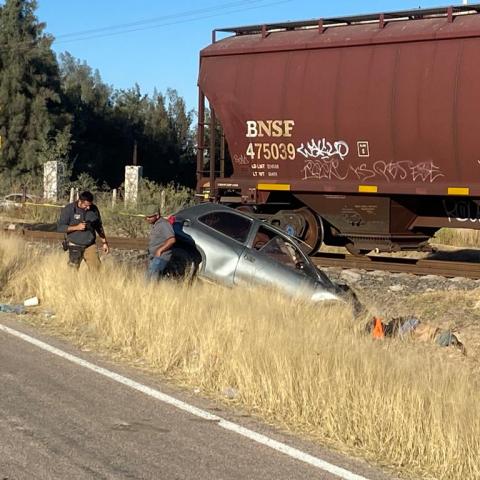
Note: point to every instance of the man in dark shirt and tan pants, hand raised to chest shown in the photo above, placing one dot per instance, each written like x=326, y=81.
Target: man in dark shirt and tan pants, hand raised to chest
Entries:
x=80, y=221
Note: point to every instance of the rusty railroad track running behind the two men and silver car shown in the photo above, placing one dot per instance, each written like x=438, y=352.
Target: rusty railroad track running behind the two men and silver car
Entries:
x=444, y=268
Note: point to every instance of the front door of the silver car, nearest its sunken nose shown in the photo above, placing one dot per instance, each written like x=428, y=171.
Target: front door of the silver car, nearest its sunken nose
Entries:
x=272, y=259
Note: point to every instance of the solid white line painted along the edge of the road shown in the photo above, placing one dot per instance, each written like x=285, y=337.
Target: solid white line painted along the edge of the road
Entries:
x=233, y=427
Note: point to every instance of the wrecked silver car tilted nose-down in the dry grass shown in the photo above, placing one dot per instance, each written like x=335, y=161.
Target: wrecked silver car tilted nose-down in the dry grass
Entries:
x=230, y=247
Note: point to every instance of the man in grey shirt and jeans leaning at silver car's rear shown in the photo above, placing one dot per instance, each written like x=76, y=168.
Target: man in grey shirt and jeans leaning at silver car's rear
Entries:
x=162, y=238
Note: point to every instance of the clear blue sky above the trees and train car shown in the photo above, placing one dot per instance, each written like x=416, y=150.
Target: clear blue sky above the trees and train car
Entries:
x=156, y=43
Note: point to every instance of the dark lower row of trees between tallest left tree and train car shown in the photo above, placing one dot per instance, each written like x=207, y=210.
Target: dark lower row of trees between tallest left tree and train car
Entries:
x=107, y=124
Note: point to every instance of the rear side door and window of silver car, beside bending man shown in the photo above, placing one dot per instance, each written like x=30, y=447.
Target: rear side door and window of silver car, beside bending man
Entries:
x=221, y=236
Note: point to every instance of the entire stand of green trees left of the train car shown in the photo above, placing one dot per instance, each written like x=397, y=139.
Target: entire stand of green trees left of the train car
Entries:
x=61, y=109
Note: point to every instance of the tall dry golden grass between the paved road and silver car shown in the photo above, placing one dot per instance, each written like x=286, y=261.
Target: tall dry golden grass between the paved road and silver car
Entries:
x=307, y=368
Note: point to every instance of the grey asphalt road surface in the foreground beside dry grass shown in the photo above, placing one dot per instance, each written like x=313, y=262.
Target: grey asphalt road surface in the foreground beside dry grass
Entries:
x=59, y=420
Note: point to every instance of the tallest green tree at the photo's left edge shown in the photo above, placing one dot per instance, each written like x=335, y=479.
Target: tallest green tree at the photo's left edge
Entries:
x=31, y=114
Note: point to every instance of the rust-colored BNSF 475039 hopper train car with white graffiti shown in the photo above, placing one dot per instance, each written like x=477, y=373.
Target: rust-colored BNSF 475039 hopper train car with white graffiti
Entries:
x=359, y=131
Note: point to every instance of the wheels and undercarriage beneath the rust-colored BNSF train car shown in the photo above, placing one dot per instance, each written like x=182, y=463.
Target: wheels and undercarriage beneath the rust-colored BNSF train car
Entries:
x=359, y=223
